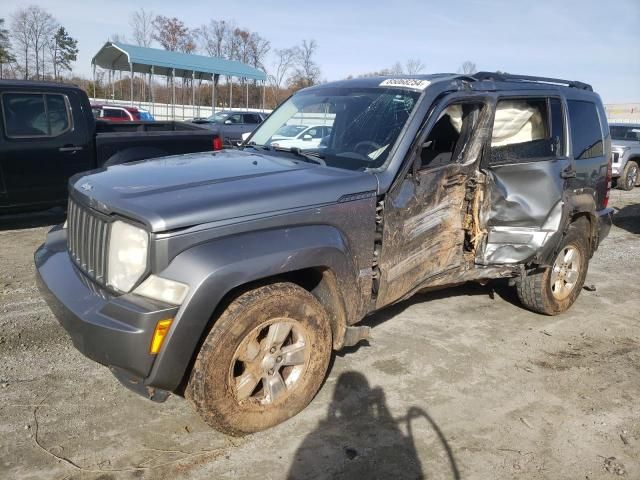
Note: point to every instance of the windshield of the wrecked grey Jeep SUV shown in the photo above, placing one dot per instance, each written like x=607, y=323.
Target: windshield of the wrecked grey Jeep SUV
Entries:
x=353, y=128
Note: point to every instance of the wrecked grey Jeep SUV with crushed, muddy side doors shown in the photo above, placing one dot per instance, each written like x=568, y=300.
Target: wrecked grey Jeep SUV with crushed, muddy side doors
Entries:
x=229, y=277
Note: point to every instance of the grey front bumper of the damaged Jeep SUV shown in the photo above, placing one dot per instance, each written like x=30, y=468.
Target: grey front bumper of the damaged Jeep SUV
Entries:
x=113, y=330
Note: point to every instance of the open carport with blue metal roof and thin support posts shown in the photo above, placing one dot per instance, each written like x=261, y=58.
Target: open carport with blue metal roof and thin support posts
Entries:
x=117, y=56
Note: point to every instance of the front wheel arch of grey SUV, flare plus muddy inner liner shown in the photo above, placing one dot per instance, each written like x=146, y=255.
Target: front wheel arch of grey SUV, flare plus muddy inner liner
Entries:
x=313, y=257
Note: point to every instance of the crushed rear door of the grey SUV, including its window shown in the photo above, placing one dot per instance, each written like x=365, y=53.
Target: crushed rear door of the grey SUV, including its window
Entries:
x=526, y=171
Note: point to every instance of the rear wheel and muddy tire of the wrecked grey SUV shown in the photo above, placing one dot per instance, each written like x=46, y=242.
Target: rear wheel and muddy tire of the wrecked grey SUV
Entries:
x=553, y=290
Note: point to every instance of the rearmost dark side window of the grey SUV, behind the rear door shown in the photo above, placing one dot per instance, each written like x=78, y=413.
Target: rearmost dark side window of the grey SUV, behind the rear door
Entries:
x=586, y=136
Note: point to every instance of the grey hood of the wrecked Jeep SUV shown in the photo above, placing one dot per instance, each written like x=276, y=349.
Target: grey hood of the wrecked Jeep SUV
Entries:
x=181, y=191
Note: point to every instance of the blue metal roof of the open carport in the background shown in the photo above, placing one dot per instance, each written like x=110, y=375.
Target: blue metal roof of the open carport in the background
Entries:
x=119, y=56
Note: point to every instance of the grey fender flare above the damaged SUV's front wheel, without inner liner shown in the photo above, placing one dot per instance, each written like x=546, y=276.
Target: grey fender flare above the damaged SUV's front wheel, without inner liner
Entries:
x=214, y=269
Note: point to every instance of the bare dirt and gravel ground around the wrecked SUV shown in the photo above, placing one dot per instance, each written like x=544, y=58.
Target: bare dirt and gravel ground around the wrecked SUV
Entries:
x=456, y=384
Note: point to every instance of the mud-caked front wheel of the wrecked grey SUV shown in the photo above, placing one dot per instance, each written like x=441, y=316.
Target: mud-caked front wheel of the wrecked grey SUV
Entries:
x=263, y=361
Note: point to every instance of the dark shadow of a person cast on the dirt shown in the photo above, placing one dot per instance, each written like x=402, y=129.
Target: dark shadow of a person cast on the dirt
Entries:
x=360, y=438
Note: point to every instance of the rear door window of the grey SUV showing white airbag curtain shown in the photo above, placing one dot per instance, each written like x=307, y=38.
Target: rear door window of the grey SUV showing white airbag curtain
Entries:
x=526, y=130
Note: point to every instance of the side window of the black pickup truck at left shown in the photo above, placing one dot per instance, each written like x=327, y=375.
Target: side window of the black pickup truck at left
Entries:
x=33, y=115
